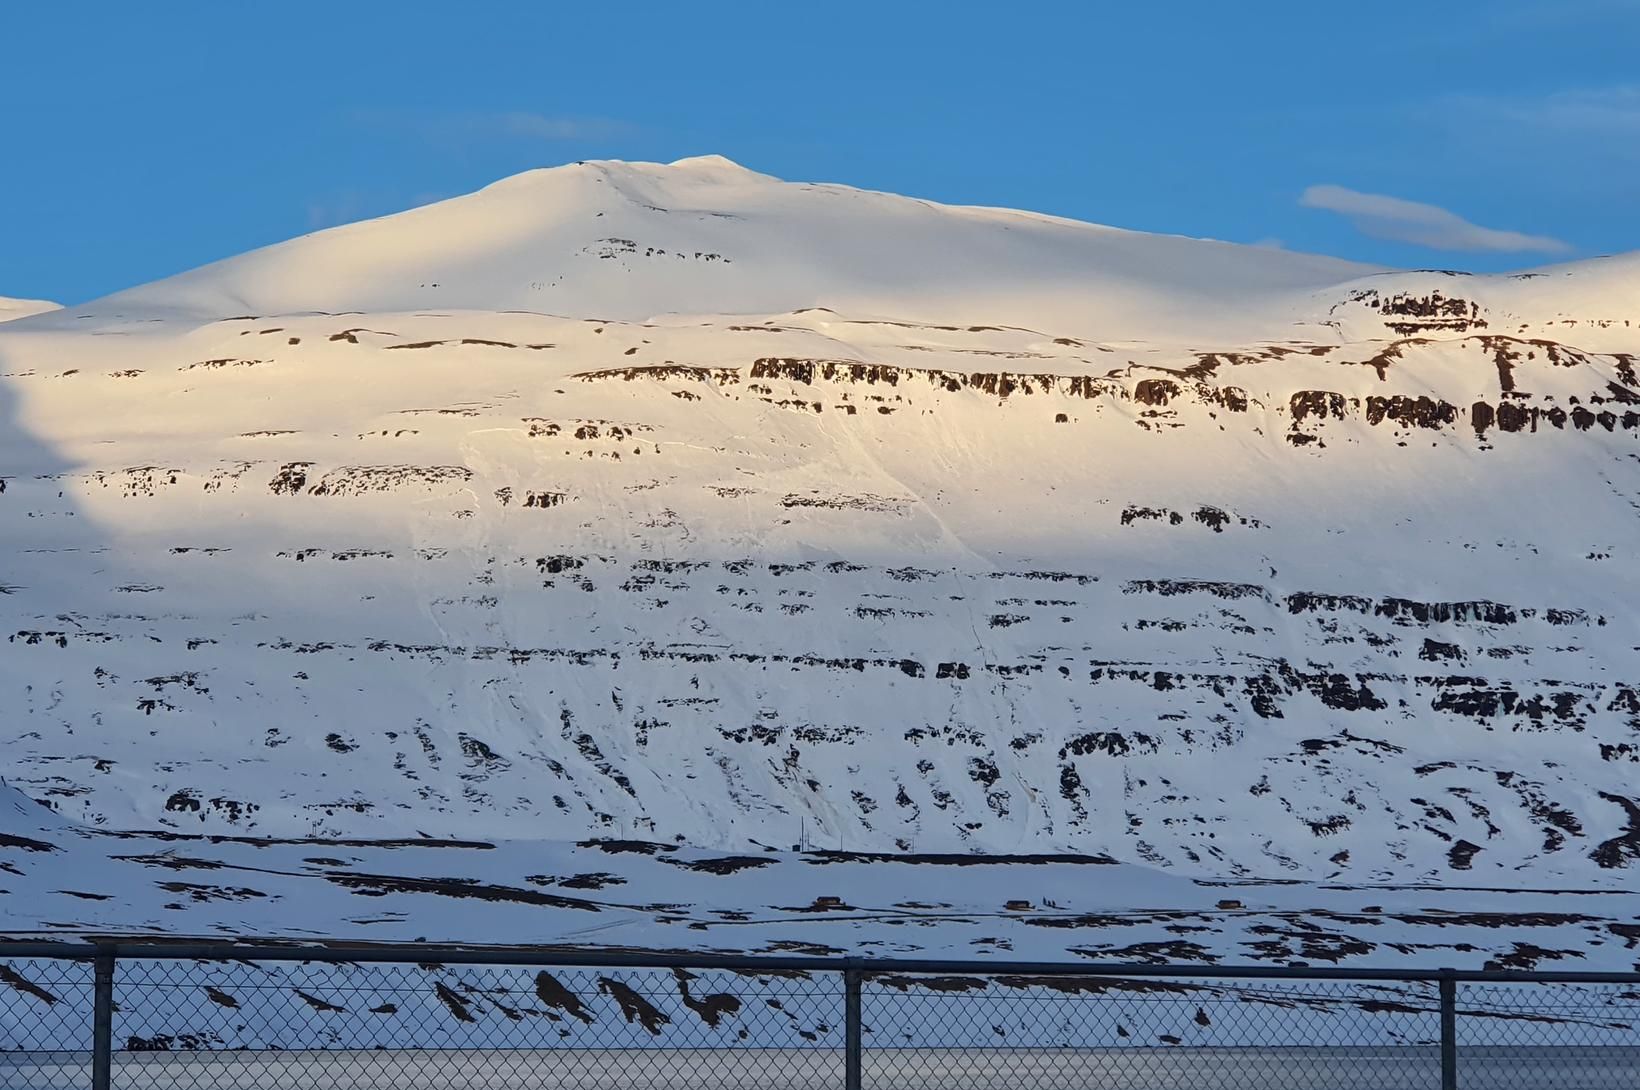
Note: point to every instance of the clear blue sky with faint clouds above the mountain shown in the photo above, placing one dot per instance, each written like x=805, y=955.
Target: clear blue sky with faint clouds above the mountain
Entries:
x=143, y=140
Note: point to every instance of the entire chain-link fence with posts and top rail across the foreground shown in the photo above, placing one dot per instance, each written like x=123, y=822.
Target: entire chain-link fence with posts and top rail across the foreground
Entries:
x=242, y=1019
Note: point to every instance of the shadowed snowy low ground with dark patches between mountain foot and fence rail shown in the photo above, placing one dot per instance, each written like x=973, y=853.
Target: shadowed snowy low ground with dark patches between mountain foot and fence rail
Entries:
x=645, y=896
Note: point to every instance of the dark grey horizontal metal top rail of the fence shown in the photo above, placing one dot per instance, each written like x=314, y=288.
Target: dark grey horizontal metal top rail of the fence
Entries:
x=578, y=958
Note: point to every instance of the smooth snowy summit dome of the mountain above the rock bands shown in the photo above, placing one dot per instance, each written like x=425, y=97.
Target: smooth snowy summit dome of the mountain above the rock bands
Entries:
x=532, y=242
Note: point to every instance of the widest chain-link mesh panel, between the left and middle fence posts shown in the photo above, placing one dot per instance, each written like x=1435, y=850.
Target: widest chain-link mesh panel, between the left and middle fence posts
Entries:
x=409, y=1027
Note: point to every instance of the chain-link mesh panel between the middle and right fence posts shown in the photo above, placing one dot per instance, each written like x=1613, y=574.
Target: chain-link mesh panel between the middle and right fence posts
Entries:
x=1067, y=1033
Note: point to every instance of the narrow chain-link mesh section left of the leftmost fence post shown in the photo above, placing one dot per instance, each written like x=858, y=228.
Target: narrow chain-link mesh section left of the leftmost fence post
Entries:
x=45, y=1024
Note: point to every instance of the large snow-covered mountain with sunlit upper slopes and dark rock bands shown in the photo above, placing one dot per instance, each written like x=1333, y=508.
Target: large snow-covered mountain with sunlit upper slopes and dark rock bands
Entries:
x=686, y=506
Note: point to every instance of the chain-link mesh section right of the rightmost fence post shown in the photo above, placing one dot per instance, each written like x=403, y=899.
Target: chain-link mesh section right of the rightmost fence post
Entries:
x=1590, y=1032
